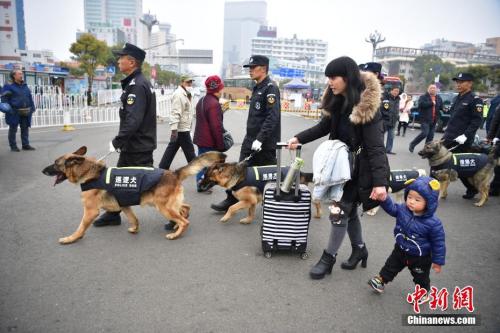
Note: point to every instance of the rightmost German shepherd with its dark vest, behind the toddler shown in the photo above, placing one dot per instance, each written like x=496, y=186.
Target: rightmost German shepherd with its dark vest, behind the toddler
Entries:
x=447, y=167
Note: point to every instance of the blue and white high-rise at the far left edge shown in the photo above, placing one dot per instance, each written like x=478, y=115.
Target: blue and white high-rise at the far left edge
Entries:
x=12, y=31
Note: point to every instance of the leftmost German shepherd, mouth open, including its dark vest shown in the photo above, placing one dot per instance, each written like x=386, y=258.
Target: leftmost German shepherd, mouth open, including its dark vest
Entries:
x=115, y=189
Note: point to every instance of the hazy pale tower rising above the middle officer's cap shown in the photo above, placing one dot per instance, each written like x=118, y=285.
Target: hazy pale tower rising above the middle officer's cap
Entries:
x=242, y=21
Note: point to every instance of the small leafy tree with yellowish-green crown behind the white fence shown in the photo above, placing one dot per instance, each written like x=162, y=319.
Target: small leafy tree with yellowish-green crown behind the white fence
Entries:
x=90, y=53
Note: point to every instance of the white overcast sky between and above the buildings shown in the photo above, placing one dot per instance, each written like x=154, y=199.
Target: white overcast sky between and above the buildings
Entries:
x=52, y=24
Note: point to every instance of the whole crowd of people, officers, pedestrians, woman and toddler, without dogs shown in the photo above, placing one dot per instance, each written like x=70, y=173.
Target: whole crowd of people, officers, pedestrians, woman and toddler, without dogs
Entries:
x=356, y=112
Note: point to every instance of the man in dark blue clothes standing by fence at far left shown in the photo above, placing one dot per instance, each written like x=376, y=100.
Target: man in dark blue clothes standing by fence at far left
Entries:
x=18, y=96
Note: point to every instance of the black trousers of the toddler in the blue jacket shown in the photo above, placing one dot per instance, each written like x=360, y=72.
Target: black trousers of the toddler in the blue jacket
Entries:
x=419, y=267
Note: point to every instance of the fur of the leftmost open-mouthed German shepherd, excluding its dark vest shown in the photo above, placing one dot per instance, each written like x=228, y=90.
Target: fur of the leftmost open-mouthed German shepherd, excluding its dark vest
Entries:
x=166, y=196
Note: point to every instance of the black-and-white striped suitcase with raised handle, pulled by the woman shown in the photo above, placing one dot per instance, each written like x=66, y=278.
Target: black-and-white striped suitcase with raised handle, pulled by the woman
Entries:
x=286, y=216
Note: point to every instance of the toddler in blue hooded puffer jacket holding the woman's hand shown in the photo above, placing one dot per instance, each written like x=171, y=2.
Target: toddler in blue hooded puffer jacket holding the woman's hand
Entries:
x=419, y=235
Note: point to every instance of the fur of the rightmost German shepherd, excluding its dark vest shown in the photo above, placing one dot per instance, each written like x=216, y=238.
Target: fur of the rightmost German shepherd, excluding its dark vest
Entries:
x=438, y=154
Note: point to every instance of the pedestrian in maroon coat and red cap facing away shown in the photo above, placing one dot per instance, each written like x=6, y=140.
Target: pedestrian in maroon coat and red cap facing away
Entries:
x=209, y=130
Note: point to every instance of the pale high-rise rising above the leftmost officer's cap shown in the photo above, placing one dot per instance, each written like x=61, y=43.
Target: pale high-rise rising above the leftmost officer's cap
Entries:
x=123, y=14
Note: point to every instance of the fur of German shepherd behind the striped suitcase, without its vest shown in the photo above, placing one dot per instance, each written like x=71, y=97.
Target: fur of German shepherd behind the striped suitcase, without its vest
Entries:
x=229, y=175
